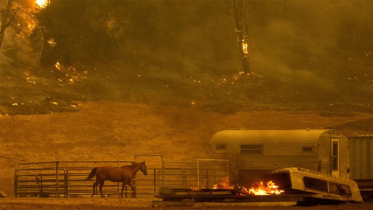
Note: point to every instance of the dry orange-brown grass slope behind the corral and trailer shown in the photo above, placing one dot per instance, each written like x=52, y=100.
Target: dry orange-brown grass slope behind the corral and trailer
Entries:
x=117, y=131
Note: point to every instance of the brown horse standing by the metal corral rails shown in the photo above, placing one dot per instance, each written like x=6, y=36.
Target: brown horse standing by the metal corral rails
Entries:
x=122, y=174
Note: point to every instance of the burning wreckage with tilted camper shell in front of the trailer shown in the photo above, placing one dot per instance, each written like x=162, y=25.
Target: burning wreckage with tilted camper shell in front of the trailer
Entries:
x=292, y=185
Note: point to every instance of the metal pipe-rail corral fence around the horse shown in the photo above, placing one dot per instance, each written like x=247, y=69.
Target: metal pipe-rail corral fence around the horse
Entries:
x=68, y=178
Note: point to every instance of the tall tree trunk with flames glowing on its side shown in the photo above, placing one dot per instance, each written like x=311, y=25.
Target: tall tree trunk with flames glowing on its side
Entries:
x=240, y=8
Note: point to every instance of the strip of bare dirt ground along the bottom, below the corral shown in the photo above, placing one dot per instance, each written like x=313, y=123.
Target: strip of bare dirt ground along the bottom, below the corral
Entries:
x=148, y=203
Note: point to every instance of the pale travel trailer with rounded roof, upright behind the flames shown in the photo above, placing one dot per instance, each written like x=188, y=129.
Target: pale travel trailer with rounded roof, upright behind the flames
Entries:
x=254, y=153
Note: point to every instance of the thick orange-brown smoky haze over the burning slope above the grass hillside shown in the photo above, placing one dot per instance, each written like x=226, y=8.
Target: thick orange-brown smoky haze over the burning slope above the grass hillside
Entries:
x=183, y=52
